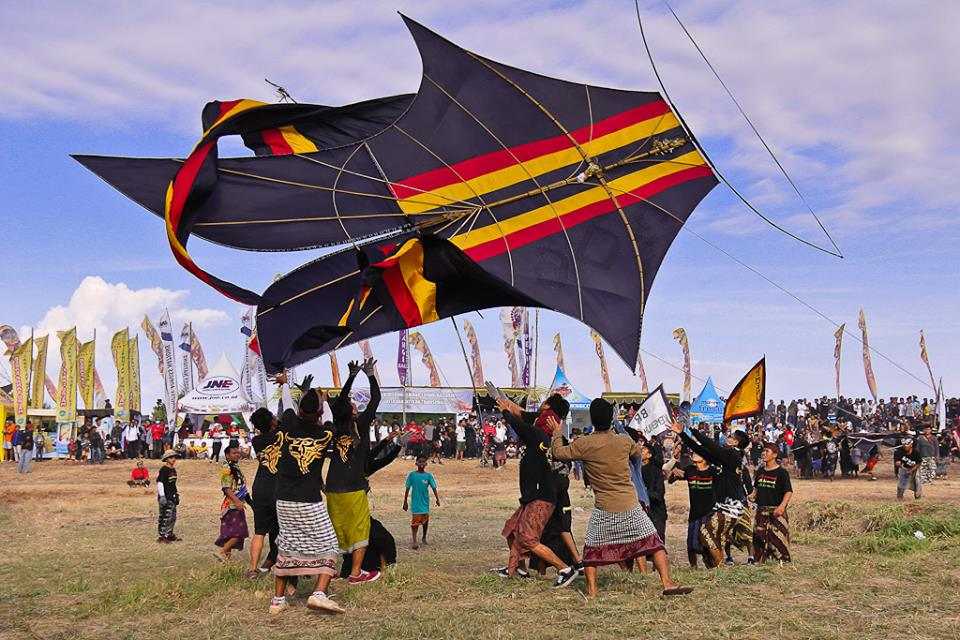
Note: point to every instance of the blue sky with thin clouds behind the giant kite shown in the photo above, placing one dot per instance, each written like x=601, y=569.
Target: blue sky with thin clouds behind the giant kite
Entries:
x=853, y=97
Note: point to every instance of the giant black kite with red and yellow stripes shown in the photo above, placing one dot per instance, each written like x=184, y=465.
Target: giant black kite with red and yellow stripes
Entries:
x=491, y=186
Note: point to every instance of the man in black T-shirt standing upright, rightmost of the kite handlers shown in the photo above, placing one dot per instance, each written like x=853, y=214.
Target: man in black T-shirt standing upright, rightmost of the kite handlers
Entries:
x=772, y=493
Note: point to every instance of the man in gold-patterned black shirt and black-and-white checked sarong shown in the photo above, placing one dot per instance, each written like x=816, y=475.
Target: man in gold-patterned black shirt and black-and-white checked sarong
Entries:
x=307, y=544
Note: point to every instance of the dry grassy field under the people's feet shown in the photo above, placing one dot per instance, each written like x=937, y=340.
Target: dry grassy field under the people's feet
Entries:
x=78, y=560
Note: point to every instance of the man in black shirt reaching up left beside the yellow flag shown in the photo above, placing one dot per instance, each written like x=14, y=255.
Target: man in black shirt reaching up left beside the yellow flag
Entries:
x=722, y=529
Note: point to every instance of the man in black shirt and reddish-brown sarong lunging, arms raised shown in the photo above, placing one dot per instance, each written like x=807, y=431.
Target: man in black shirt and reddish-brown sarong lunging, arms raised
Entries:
x=538, y=489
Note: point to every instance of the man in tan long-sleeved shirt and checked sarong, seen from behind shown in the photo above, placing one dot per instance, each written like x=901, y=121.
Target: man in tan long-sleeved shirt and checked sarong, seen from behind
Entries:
x=619, y=530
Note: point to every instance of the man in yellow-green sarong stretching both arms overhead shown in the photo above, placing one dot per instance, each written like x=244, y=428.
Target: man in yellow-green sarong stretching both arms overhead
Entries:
x=347, y=485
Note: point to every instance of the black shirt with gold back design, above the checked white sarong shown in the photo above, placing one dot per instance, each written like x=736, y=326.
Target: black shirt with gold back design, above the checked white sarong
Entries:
x=302, y=447
